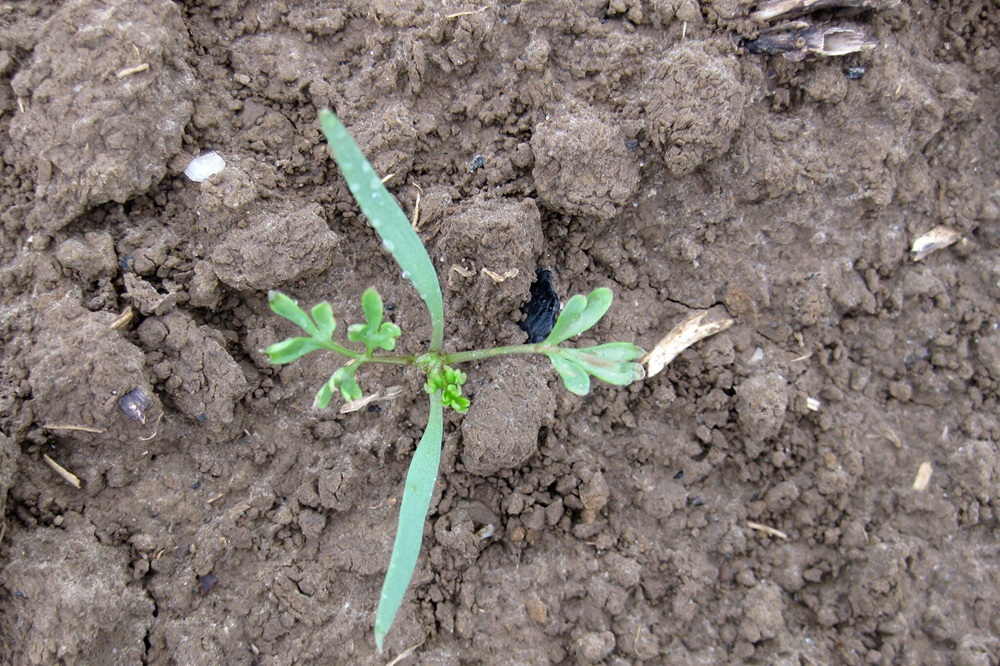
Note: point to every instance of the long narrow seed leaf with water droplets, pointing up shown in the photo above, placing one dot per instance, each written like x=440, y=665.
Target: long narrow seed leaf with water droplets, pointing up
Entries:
x=388, y=220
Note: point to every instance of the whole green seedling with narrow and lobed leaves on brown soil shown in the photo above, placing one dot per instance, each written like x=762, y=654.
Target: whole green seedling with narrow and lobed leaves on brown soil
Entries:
x=614, y=362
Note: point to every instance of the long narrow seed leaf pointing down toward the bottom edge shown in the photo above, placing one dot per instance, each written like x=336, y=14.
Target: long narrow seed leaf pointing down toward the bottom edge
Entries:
x=417, y=495
